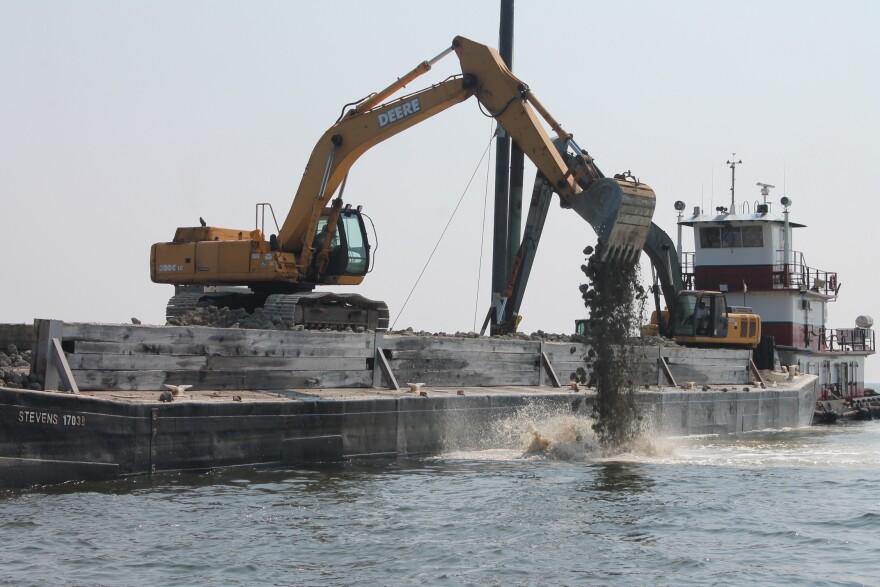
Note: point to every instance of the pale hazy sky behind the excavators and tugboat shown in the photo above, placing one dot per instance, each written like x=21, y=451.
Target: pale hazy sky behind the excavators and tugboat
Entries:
x=120, y=121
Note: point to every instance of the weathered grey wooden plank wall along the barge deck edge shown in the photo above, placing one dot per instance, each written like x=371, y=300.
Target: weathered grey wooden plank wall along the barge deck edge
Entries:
x=114, y=357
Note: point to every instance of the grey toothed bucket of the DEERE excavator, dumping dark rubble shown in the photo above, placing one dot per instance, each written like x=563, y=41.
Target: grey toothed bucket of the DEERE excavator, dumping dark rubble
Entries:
x=620, y=212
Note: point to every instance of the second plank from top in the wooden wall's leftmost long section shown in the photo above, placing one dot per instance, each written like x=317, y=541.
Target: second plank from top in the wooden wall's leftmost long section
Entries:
x=229, y=349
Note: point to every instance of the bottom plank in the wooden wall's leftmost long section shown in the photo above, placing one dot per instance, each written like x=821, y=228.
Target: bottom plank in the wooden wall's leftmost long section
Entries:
x=220, y=380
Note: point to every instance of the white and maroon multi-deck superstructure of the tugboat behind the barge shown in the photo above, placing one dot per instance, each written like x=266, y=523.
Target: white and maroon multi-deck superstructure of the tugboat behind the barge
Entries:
x=749, y=255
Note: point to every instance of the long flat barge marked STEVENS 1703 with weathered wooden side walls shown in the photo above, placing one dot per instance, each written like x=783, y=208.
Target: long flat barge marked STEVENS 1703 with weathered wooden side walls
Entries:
x=277, y=398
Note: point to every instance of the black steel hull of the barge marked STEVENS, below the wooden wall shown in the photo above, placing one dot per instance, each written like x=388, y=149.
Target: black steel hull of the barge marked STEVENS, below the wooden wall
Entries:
x=50, y=437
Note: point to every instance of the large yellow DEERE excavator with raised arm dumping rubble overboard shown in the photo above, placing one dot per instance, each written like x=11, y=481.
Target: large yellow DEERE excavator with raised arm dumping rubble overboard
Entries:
x=324, y=243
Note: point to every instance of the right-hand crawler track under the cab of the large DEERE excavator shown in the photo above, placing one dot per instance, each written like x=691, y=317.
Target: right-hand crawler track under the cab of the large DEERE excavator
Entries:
x=328, y=310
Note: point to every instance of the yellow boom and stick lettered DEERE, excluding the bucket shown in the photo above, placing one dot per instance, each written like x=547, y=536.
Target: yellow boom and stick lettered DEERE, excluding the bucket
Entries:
x=485, y=76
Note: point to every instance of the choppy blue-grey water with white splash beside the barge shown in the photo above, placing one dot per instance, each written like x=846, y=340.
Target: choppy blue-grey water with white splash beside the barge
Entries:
x=798, y=507
